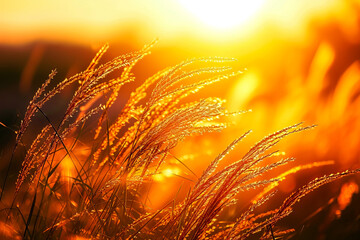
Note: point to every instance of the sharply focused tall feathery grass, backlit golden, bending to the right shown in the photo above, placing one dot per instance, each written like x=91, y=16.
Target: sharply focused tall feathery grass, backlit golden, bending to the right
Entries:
x=90, y=185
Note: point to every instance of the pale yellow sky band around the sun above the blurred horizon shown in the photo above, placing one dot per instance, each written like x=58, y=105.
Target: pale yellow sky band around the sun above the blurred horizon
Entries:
x=89, y=21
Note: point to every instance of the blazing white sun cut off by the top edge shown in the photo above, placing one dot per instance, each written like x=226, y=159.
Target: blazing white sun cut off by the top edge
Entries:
x=223, y=14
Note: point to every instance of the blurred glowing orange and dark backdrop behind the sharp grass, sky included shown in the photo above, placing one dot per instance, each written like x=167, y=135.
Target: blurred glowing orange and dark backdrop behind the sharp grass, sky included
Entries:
x=300, y=62
